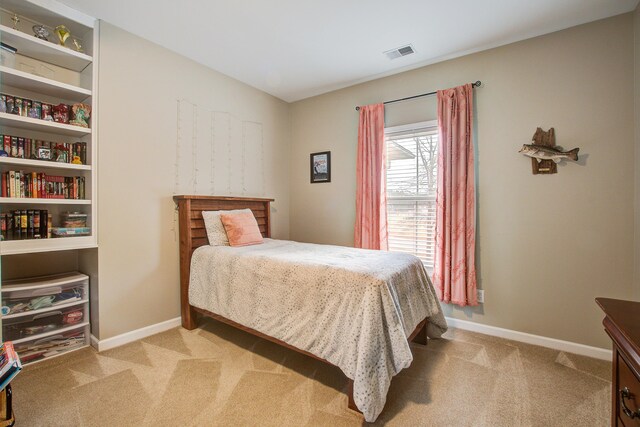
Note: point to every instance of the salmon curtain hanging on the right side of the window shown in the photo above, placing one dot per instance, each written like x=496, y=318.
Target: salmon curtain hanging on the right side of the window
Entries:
x=454, y=275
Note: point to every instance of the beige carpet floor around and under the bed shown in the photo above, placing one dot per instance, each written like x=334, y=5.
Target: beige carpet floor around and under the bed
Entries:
x=219, y=376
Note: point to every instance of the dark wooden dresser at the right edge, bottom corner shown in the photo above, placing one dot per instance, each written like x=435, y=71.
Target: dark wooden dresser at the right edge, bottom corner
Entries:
x=622, y=323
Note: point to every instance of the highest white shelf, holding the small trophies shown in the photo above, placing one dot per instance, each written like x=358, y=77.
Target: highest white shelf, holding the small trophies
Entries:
x=42, y=50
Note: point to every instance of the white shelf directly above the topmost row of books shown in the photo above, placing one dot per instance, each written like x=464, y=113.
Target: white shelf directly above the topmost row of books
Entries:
x=31, y=82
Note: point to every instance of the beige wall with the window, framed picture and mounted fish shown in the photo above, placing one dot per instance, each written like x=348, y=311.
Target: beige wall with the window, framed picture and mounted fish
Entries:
x=547, y=245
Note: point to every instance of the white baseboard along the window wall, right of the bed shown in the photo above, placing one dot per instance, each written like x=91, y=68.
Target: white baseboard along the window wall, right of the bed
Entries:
x=569, y=347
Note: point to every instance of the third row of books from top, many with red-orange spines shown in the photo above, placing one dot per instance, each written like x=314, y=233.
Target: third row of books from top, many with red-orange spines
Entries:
x=40, y=185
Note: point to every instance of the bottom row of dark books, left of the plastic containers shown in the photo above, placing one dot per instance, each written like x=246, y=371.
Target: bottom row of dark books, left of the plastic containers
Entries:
x=26, y=224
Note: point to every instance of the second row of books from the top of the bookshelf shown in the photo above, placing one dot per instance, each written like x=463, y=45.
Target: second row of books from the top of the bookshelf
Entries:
x=29, y=148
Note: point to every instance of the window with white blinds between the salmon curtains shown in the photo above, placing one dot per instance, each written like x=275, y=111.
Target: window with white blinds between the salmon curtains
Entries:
x=412, y=173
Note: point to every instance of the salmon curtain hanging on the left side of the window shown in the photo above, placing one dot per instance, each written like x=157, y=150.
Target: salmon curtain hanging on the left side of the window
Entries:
x=371, y=188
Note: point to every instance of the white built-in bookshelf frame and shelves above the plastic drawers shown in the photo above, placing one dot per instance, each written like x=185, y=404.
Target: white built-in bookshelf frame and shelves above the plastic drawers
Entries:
x=47, y=73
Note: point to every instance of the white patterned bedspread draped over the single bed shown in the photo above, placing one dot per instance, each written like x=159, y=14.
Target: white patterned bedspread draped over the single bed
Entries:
x=352, y=307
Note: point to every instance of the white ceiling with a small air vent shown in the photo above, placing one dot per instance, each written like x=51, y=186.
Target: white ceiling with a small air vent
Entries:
x=294, y=49
